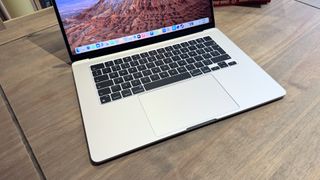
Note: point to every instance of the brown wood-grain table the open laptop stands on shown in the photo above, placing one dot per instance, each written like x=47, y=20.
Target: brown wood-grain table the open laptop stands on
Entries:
x=278, y=141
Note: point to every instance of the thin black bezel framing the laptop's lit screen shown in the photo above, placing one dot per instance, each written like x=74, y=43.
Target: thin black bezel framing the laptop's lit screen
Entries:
x=130, y=45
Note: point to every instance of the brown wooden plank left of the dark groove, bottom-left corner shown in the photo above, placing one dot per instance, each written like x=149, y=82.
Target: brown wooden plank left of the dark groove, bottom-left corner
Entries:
x=15, y=162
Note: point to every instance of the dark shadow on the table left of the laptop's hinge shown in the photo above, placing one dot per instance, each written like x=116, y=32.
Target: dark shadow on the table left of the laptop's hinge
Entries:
x=51, y=40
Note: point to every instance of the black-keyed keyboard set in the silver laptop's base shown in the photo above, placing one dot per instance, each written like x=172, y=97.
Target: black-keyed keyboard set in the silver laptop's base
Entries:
x=127, y=76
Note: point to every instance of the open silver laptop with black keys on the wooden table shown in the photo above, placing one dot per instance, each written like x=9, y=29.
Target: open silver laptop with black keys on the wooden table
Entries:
x=146, y=71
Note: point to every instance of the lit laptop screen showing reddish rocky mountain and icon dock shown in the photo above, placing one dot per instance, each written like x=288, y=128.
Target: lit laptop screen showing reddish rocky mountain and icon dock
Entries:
x=95, y=24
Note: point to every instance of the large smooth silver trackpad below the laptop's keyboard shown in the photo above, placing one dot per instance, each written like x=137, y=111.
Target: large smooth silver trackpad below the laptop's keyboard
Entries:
x=177, y=107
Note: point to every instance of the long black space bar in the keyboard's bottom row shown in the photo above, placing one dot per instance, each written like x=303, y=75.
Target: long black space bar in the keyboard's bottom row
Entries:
x=166, y=81
